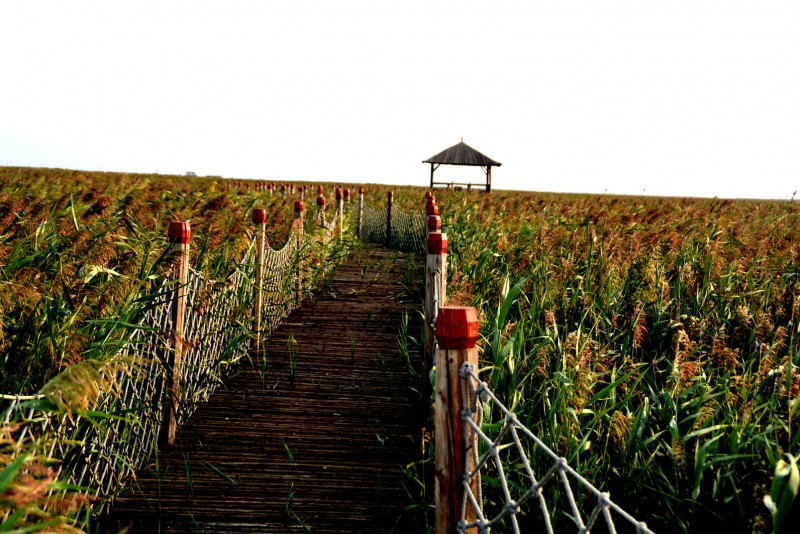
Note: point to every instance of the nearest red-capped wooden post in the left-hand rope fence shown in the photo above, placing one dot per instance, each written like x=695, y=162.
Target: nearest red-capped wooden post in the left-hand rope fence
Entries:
x=179, y=234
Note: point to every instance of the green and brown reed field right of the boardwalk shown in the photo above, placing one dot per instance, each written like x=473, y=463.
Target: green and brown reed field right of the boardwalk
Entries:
x=653, y=342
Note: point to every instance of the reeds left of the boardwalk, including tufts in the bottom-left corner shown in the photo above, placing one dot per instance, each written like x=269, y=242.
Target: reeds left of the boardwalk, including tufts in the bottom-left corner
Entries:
x=81, y=255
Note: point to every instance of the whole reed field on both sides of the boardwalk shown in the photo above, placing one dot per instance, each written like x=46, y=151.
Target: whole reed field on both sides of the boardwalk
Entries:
x=653, y=342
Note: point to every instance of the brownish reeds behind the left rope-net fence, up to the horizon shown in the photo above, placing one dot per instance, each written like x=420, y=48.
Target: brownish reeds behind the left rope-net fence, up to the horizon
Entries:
x=79, y=249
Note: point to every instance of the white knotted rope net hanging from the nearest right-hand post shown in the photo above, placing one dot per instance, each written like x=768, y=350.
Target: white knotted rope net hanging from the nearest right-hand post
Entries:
x=511, y=449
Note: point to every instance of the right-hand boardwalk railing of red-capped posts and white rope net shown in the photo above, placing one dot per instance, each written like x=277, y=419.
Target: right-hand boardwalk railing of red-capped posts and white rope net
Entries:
x=472, y=450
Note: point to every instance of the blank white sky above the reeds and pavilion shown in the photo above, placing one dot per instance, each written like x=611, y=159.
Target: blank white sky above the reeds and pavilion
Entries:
x=678, y=97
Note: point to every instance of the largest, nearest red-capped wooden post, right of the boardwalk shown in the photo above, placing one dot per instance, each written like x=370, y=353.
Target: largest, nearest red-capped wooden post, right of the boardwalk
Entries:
x=456, y=333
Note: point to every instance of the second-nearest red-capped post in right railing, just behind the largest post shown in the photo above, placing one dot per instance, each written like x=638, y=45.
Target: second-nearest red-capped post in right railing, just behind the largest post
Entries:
x=435, y=297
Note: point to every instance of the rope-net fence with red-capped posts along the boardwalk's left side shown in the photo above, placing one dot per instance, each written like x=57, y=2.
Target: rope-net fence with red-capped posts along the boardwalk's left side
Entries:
x=101, y=421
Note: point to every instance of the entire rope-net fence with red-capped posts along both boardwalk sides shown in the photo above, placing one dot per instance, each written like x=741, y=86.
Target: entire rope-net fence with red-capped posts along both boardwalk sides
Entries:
x=489, y=465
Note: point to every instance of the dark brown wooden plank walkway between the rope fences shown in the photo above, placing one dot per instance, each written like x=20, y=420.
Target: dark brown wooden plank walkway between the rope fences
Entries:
x=319, y=449
